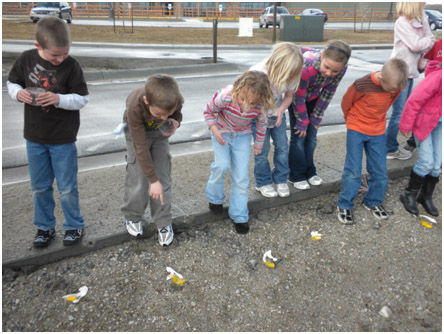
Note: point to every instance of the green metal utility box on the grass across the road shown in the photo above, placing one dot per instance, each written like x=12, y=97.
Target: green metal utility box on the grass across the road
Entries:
x=301, y=28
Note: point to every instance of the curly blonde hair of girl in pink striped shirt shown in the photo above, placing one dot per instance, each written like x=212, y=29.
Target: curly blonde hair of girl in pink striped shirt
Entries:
x=257, y=83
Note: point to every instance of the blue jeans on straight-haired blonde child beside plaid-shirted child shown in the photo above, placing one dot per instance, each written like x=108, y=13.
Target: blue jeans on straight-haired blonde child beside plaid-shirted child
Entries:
x=262, y=172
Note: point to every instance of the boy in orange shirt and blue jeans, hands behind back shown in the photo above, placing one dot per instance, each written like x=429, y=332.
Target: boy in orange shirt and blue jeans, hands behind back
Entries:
x=365, y=105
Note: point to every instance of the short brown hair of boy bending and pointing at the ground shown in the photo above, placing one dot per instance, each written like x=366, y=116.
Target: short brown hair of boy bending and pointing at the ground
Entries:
x=161, y=90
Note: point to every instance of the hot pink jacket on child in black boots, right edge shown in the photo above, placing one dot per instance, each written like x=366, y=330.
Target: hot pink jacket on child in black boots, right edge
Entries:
x=423, y=109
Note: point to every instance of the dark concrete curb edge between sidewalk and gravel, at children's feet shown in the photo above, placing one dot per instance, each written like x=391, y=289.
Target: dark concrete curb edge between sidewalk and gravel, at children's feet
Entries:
x=181, y=224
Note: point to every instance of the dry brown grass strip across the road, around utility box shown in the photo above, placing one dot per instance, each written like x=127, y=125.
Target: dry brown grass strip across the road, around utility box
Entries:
x=168, y=35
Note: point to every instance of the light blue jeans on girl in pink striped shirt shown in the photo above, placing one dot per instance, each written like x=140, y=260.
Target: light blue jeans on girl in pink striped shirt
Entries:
x=235, y=154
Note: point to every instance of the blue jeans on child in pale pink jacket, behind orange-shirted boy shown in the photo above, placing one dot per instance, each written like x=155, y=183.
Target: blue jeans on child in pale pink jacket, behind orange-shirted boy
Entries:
x=393, y=127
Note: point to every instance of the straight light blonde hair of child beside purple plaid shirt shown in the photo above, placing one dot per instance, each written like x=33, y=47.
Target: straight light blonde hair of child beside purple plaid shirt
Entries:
x=284, y=66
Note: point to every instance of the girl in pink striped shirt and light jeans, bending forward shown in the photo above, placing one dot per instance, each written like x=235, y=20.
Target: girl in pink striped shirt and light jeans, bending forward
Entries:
x=229, y=116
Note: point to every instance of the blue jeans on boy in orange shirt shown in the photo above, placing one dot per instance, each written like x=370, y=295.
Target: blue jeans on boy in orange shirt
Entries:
x=375, y=152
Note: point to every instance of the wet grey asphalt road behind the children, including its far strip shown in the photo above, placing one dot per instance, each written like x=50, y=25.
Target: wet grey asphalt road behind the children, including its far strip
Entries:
x=107, y=99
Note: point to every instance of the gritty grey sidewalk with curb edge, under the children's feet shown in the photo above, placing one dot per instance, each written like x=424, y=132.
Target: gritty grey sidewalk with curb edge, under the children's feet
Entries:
x=101, y=193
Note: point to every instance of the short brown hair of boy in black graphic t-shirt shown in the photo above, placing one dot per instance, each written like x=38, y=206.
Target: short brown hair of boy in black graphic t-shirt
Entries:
x=52, y=32
